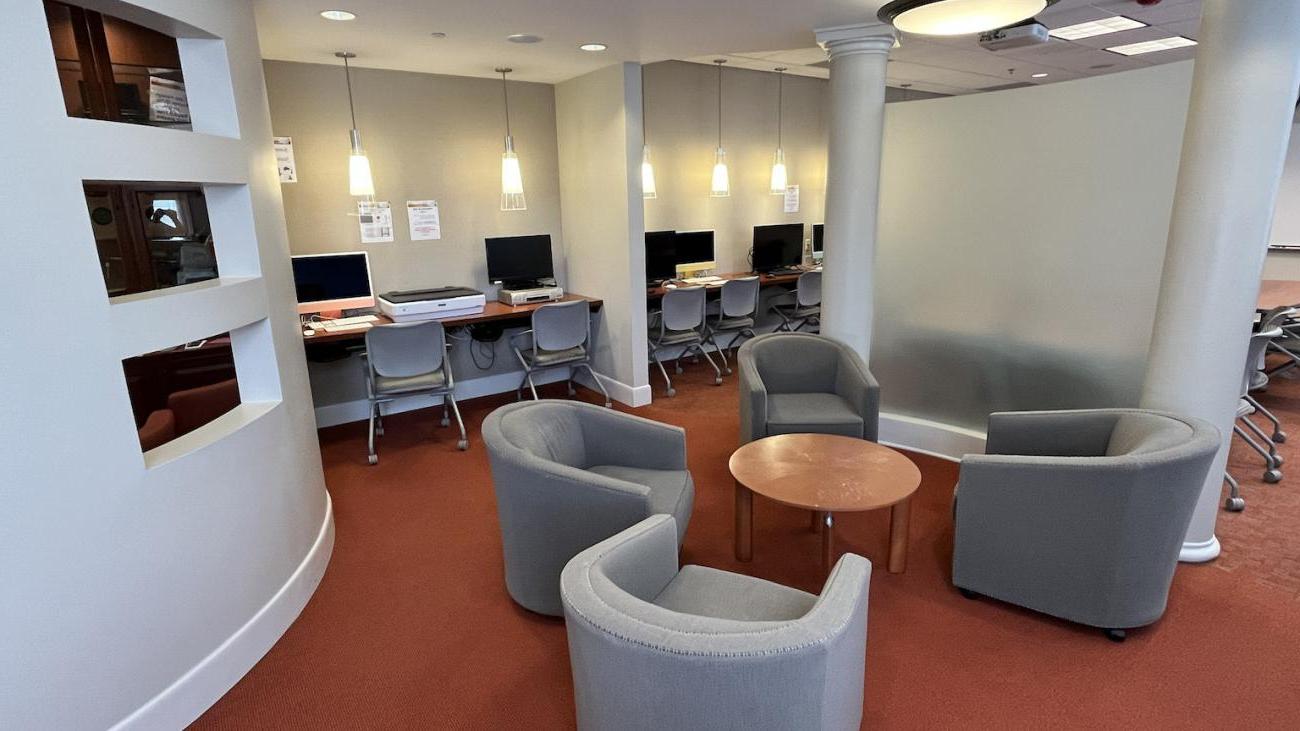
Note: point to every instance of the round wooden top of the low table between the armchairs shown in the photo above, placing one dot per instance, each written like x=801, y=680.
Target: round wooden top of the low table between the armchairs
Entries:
x=826, y=473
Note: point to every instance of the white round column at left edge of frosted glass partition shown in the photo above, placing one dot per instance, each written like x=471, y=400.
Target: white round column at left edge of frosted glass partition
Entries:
x=859, y=58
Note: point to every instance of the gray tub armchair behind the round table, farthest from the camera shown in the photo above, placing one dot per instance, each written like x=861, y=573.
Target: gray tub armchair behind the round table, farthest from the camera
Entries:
x=800, y=383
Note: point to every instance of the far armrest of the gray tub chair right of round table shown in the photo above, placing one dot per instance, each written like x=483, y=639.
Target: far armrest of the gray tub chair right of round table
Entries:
x=1051, y=434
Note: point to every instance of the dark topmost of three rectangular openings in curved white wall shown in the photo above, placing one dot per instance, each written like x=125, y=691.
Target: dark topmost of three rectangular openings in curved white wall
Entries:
x=116, y=71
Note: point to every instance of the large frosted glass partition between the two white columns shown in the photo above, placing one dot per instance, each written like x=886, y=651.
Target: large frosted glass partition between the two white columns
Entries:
x=1022, y=237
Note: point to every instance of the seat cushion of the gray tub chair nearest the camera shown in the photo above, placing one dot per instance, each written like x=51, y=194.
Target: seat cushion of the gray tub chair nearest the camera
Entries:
x=722, y=595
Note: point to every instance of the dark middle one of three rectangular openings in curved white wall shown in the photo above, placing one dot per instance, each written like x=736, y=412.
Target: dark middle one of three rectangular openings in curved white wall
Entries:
x=150, y=236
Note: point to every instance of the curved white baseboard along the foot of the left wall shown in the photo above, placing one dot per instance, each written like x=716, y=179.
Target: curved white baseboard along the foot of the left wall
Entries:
x=203, y=685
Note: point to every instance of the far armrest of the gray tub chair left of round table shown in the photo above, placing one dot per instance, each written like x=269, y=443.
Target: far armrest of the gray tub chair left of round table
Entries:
x=614, y=438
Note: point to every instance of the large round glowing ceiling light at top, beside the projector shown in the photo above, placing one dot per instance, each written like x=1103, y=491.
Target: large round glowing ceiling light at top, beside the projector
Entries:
x=957, y=18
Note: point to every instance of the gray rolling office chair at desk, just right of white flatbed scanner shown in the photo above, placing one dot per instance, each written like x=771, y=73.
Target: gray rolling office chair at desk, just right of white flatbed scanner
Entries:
x=561, y=339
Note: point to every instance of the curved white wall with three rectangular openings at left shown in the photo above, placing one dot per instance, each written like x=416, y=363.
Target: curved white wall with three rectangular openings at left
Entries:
x=137, y=590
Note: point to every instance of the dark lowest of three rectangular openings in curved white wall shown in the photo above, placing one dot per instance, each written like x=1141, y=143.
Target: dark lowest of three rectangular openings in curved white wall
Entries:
x=179, y=390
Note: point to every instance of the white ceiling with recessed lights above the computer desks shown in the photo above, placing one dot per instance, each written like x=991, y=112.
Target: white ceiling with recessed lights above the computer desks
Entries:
x=756, y=34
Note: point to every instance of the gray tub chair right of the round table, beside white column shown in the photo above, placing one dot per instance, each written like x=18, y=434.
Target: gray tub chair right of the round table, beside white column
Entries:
x=1081, y=514
